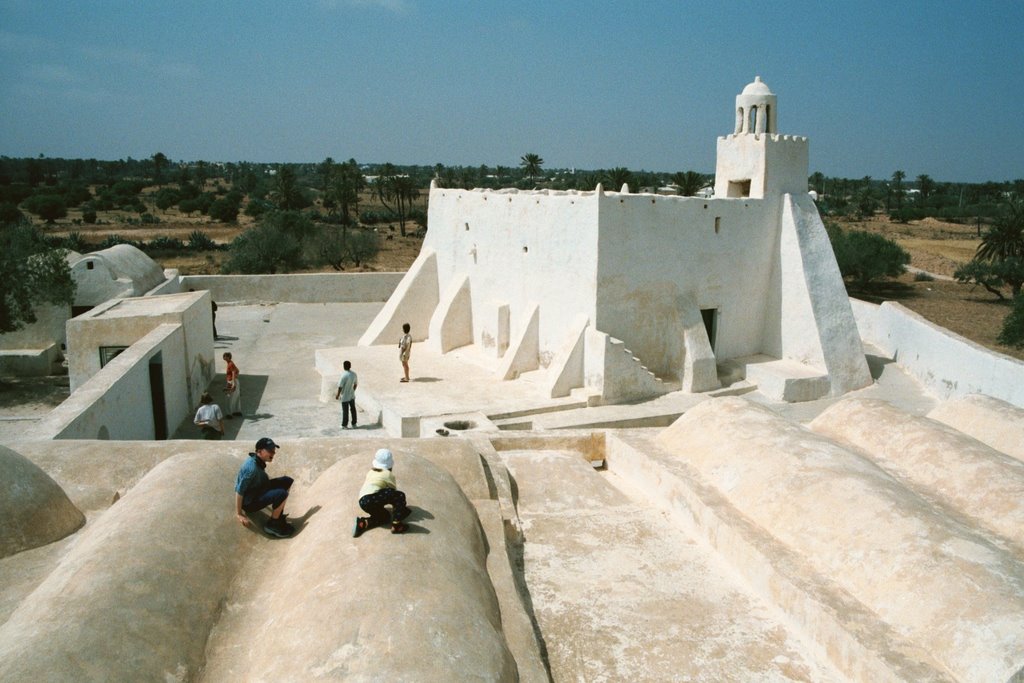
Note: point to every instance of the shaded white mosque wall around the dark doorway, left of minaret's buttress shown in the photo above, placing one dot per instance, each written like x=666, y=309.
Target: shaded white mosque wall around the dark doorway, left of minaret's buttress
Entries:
x=657, y=250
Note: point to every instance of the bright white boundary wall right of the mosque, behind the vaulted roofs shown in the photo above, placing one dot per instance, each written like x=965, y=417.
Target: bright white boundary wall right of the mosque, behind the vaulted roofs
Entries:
x=946, y=363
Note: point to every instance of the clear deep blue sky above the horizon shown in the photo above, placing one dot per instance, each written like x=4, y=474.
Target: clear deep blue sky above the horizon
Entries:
x=925, y=88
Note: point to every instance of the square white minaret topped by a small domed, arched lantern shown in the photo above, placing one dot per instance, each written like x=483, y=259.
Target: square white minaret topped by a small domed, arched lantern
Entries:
x=756, y=161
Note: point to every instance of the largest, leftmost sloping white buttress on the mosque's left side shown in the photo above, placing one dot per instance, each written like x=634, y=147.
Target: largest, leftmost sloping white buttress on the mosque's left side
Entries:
x=414, y=302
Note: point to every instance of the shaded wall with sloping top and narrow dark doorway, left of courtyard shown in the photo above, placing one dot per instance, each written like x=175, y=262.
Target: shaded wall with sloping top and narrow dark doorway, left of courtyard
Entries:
x=116, y=403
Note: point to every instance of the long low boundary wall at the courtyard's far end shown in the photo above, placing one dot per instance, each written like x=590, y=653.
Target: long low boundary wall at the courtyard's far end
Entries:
x=313, y=288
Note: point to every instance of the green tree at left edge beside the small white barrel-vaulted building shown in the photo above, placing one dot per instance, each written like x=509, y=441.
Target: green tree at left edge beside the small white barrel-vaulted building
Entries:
x=33, y=274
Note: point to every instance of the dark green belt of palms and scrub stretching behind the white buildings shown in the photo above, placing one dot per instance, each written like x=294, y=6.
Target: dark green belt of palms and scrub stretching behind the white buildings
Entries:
x=335, y=214
